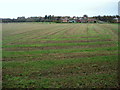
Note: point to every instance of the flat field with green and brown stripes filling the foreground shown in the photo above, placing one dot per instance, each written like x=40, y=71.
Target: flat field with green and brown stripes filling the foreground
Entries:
x=44, y=55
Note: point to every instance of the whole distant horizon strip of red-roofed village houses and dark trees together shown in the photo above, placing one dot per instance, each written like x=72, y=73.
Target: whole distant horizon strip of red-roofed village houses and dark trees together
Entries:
x=66, y=19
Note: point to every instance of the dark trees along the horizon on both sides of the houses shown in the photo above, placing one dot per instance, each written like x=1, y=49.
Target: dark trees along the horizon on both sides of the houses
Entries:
x=52, y=18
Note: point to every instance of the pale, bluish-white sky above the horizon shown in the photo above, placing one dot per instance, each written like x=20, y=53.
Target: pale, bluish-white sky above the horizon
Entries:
x=28, y=8
